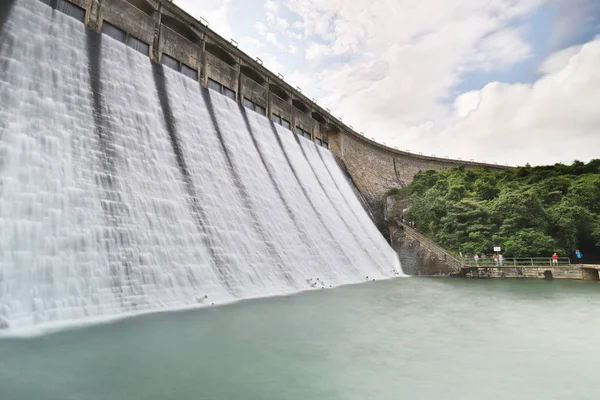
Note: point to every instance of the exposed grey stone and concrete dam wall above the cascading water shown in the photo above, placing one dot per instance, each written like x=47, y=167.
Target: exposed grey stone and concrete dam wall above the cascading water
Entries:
x=170, y=36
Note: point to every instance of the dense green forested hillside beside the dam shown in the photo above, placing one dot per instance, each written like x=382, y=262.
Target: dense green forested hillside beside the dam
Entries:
x=528, y=211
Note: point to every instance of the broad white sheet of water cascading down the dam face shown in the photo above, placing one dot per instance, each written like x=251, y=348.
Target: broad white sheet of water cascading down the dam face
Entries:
x=127, y=188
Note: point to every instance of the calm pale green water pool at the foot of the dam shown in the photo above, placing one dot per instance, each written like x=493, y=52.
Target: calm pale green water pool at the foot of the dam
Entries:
x=400, y=339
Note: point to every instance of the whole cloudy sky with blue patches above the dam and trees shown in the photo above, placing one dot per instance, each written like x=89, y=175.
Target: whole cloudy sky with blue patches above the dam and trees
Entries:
x=501, y=81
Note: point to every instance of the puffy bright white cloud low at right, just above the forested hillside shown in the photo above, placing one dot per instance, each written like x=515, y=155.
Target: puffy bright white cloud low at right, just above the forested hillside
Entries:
x=553, y=119
